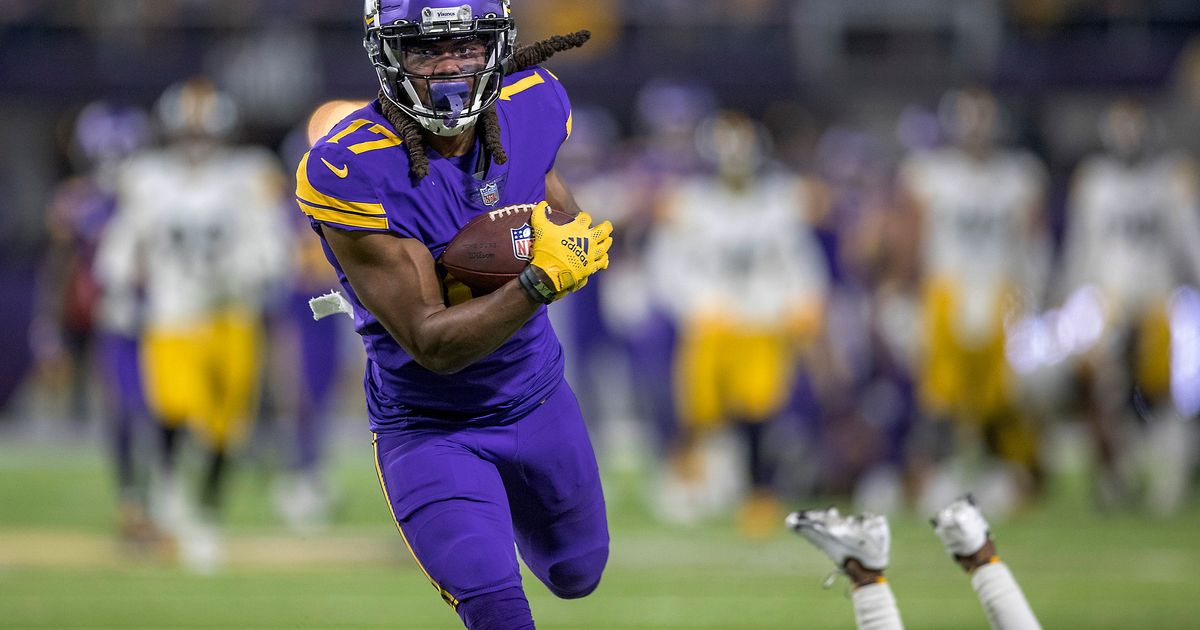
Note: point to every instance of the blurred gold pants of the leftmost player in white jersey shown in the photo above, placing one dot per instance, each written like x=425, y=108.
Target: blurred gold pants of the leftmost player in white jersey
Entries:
x=206, y=376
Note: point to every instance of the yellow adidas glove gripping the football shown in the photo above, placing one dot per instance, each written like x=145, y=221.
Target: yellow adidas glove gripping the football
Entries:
x=568, y=255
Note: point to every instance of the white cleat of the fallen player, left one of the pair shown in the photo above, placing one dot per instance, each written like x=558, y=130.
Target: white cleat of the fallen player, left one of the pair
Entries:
x=865, y=538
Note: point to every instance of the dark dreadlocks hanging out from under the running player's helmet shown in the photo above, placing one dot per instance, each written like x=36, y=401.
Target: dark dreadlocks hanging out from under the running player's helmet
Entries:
x=410, y=131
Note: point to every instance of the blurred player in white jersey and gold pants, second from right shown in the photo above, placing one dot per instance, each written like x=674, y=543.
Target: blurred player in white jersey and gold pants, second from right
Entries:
x=982, y=233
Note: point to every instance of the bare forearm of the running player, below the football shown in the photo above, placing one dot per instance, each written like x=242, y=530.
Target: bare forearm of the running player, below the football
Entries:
x=449, y=340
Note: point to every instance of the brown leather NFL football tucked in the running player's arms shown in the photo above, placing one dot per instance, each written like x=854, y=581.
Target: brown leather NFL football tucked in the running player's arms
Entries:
x=494, y=248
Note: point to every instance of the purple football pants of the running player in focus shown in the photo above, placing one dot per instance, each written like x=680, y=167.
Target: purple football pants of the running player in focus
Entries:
x=463, y=496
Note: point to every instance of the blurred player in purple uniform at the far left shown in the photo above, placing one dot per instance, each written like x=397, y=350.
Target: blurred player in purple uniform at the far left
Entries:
x=76, y=316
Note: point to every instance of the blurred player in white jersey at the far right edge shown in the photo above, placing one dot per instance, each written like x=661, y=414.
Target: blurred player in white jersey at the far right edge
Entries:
x=1132, y=241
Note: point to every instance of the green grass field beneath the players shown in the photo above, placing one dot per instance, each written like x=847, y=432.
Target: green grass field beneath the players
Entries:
x=61, y=566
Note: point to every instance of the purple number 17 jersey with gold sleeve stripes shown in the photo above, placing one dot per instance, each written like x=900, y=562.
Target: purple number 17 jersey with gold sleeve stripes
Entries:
x=358, y=178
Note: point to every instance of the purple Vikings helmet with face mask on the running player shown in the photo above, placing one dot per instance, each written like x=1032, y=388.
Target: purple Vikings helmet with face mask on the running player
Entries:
x=441, y=62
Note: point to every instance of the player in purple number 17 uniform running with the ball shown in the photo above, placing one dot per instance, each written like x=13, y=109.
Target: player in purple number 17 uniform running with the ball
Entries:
x=479, y=442
